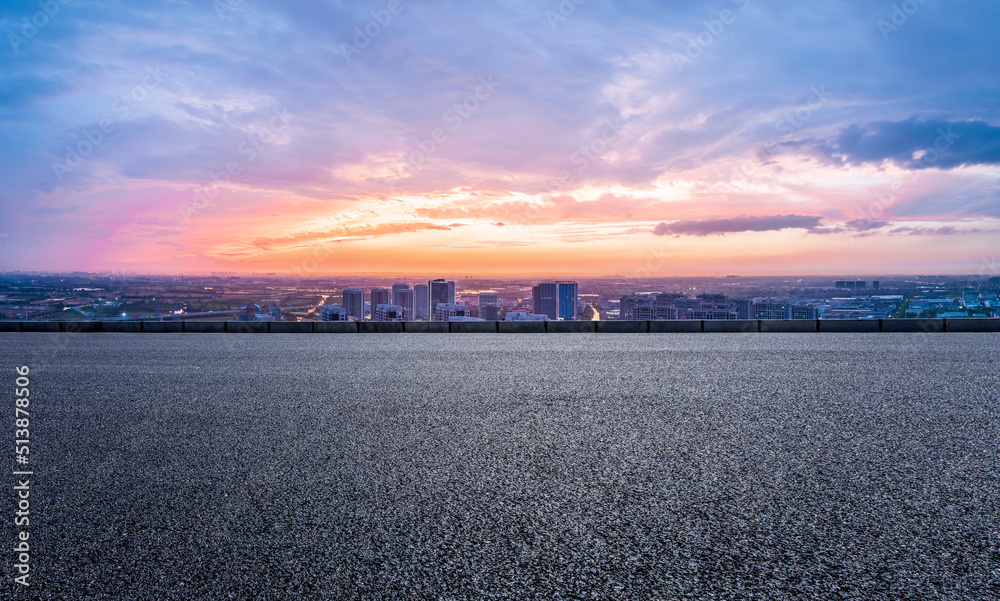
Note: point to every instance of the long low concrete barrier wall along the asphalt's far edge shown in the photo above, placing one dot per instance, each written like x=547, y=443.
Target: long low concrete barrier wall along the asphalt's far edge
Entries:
x=513, y=327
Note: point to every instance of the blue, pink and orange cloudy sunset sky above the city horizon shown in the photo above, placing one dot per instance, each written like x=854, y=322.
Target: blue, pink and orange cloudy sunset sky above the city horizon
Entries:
x=572, y=138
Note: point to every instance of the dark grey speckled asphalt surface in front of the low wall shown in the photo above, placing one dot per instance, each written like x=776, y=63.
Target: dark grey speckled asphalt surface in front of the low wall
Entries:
x=734, y=466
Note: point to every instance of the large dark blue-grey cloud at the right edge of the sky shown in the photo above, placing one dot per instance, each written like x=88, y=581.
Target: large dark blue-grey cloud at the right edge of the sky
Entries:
x=915, y=144
